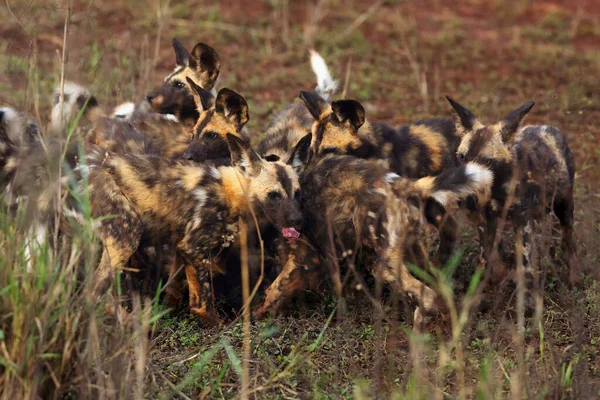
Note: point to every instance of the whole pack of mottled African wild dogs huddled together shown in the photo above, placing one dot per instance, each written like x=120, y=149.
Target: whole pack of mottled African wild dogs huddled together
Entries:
x=176, y=176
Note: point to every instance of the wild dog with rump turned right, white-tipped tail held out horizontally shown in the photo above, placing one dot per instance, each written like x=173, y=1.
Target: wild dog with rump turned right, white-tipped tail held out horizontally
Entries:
x=365, y=205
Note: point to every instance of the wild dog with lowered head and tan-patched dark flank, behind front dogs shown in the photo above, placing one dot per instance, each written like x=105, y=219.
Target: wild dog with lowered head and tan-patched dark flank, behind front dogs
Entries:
x=425, y=148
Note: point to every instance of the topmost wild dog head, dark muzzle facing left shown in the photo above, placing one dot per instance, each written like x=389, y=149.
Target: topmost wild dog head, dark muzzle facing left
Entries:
x=175, y=96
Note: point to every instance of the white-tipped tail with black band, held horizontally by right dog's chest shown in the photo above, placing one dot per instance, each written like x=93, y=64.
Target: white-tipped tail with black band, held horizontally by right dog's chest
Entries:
x=456, y=184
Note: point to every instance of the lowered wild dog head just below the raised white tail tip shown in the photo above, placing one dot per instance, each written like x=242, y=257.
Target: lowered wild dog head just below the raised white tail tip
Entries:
x=336, y=126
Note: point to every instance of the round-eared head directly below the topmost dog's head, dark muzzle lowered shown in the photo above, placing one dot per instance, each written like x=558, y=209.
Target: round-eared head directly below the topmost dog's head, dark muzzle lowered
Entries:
x=228, y=116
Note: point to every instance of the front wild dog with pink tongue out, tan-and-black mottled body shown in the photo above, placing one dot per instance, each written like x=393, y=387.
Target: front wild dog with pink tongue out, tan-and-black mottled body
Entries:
x=194, y=207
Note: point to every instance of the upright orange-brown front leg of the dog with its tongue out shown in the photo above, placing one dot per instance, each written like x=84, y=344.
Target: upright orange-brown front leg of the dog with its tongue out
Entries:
x=201, y=294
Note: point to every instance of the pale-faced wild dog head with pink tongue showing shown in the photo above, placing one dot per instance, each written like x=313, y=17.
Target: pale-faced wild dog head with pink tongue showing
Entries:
x=271, y=187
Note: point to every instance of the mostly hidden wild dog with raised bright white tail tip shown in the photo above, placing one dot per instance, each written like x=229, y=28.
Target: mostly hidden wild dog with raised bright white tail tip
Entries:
x=295, y=121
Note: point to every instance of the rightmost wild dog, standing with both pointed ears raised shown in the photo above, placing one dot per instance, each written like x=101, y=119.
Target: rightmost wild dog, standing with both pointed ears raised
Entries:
x=538, y=160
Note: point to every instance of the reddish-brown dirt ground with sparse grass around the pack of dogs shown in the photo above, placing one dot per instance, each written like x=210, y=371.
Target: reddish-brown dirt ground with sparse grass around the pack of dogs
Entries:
x=398, y=58
